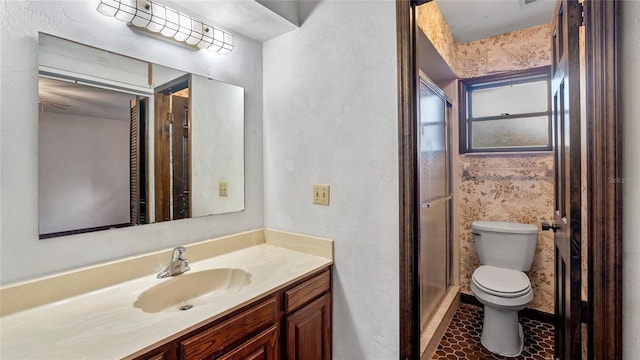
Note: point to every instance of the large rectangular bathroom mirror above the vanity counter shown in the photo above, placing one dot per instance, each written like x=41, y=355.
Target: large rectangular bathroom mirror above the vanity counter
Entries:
x=124, y=142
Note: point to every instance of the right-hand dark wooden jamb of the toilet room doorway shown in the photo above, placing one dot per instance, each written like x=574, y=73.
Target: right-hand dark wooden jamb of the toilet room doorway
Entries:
x=604, y=193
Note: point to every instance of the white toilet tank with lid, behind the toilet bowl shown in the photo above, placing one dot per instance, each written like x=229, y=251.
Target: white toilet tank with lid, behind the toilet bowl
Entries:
x=505, y=244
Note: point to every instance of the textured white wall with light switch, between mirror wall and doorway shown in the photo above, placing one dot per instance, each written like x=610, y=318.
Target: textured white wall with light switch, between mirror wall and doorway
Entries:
x=330, y=117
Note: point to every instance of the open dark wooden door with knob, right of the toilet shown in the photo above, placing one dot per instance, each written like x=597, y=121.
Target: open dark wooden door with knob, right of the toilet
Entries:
x=565, y=94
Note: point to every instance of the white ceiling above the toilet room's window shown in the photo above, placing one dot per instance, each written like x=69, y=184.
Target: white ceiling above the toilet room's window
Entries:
x=471, y=20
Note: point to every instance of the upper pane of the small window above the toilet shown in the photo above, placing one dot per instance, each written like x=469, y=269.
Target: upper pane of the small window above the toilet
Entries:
x=510, y=99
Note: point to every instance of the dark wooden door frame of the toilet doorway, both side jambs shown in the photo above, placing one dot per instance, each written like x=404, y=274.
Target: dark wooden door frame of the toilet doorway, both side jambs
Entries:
x=603, y=312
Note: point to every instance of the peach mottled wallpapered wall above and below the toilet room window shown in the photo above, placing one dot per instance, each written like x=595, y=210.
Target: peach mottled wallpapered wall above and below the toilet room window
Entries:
x=514, y=187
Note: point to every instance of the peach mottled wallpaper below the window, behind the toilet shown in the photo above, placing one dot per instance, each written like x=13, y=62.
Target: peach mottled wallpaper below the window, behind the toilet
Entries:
x=516, y=188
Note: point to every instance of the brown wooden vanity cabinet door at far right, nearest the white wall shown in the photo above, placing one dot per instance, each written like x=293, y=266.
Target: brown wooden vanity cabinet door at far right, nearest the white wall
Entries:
x=309, y=331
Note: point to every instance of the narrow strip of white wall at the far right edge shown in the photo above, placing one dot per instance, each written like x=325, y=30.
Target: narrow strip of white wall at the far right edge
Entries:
x=630, y=78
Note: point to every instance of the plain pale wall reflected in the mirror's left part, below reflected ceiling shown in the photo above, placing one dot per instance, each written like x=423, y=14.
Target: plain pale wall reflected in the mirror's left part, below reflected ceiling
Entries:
x=83, y=172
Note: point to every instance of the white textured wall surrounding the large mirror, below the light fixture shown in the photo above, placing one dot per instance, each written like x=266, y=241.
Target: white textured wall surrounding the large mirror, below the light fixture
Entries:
x=23, y=256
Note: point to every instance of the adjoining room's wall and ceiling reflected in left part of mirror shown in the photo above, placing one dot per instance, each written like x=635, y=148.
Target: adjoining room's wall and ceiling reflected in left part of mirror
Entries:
x=84, y=155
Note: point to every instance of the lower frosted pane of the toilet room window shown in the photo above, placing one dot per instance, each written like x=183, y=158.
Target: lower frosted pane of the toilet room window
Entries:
x=522, y=132
